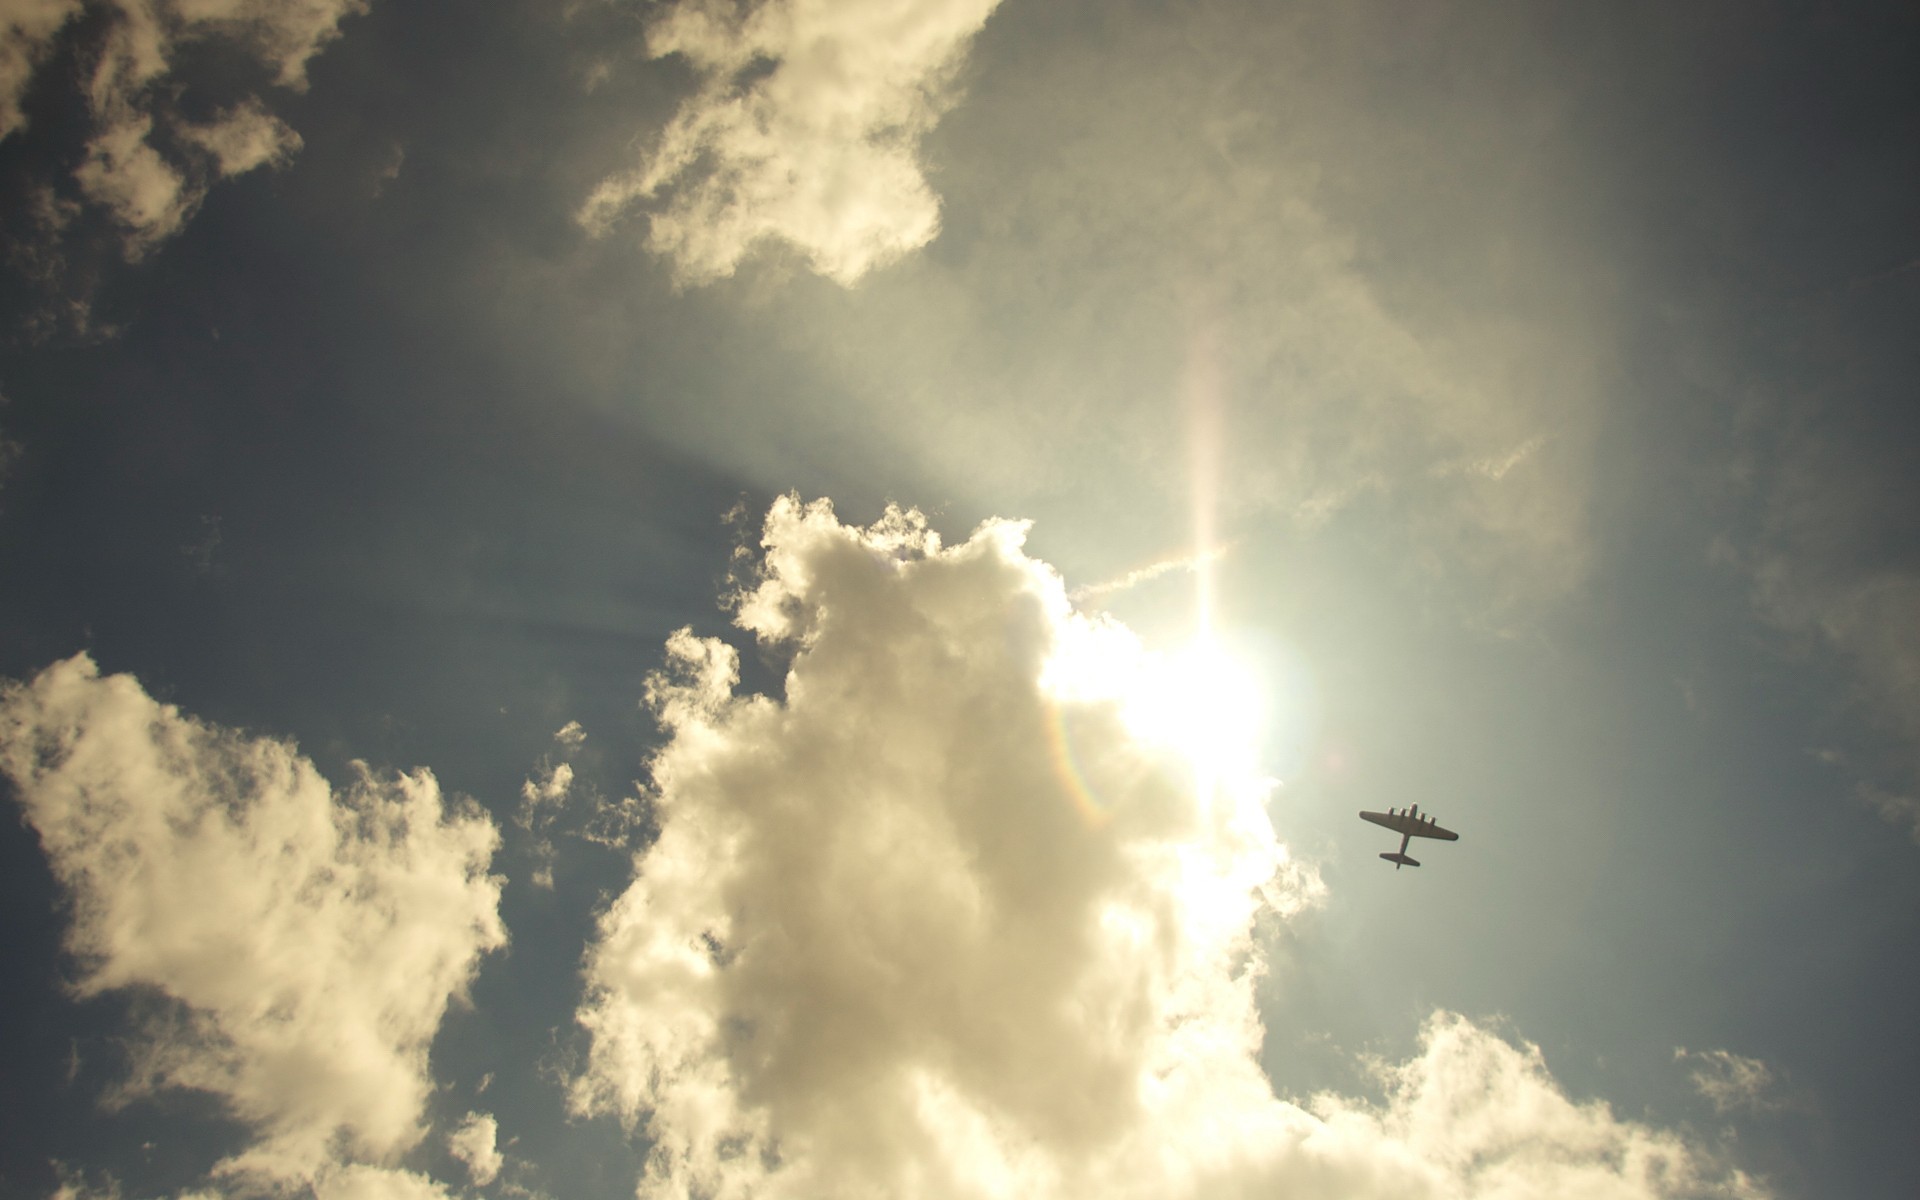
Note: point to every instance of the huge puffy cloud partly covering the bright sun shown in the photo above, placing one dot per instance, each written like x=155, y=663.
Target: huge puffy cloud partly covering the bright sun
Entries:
x=949, y=921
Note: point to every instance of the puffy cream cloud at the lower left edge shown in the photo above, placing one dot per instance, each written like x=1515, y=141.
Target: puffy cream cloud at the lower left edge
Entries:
x=306, y=940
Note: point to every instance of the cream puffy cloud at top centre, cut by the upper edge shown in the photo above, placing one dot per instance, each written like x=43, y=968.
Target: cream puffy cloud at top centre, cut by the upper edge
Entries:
x=805, y=130
